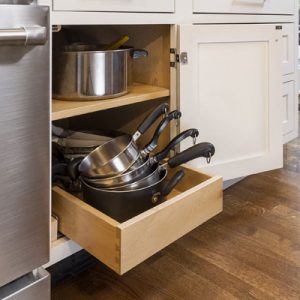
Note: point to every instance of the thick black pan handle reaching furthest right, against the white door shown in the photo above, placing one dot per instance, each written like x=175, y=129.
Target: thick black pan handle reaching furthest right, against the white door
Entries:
x=200, y=150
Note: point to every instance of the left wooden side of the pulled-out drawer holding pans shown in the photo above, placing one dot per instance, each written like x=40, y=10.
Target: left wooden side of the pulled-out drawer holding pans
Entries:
x=91, y=229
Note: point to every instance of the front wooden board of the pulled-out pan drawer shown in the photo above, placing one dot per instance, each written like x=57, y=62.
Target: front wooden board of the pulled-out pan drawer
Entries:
x=148, y=235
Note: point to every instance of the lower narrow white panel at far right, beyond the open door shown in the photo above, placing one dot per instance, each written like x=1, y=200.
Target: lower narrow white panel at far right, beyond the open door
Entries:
x=289, y=111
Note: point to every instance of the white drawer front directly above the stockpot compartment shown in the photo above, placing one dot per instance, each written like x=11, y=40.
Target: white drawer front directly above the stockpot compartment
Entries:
x=115, y=5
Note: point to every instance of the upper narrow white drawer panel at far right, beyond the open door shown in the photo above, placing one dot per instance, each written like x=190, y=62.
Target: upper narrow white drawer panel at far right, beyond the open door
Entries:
x=288, y=53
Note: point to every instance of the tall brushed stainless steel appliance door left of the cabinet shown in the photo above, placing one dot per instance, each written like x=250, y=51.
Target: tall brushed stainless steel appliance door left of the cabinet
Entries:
x=24, y=146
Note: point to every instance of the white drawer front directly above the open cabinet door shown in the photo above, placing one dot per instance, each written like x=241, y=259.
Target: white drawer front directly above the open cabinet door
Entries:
x=244, y=6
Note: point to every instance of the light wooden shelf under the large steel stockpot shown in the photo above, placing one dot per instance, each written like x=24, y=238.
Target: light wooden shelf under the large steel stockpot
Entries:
x=137, y=93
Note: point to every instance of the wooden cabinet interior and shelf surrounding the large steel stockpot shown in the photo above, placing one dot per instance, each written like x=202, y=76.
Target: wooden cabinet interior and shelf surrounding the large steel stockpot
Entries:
x=125, y=113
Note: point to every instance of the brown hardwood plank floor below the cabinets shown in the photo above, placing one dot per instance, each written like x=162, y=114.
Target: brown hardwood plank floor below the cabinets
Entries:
x=250, y=251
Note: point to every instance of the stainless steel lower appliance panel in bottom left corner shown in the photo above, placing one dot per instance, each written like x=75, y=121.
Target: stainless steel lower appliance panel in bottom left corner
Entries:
x=32, y=286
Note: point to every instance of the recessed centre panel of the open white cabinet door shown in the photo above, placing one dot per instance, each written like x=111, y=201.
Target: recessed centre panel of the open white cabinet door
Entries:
x=233, y=90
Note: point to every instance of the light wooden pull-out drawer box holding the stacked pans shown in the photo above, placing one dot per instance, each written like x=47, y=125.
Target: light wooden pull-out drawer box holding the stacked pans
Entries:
x=122, y=246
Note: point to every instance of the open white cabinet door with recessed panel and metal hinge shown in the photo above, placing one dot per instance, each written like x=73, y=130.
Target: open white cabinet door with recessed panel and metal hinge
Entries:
x=230, y=89
